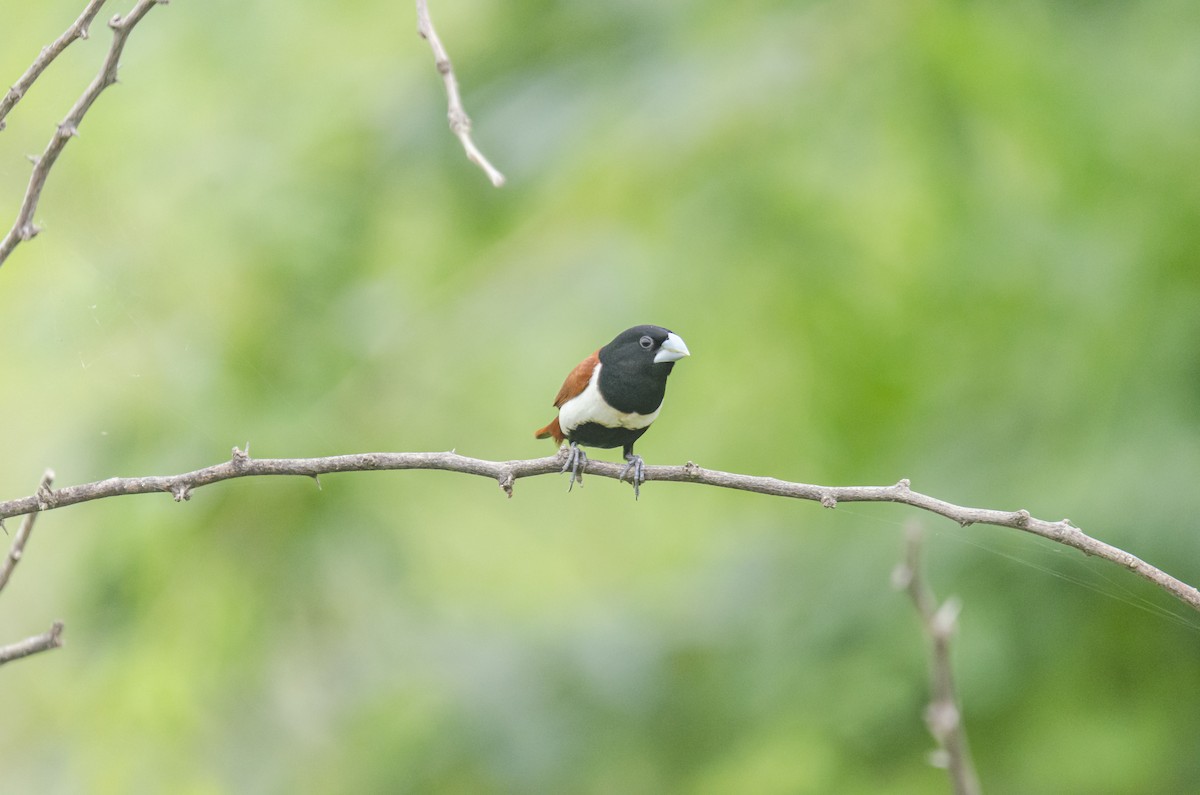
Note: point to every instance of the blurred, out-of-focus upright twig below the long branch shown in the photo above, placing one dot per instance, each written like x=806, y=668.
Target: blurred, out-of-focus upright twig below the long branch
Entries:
x=944, y=716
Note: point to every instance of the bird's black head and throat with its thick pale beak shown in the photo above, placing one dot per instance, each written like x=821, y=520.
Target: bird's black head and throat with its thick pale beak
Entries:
x=637, y=366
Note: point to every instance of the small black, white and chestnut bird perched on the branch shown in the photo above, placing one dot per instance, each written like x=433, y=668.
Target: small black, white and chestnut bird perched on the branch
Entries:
x=614, y=396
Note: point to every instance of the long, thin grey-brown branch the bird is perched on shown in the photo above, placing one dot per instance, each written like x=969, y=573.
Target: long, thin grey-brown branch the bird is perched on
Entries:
x=507, y=473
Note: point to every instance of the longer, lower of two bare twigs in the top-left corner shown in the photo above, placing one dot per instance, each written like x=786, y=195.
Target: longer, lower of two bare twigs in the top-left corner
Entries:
x=23, y=229
